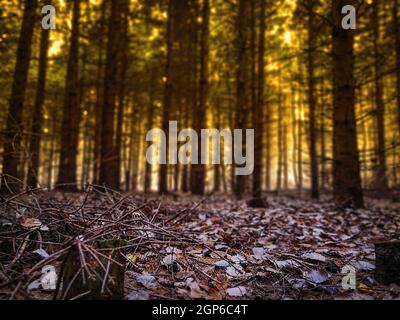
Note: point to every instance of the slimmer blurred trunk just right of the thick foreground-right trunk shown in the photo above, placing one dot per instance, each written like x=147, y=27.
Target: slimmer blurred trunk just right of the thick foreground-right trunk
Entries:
x=381, y=175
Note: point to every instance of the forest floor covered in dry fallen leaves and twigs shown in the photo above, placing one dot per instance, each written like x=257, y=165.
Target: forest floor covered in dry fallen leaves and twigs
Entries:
x=184, y=247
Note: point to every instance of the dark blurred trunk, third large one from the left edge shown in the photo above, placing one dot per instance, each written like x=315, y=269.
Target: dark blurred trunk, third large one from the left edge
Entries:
x=71, y=111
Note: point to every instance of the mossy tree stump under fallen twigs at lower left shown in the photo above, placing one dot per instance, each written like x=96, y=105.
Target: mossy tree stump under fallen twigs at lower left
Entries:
x=102, y=278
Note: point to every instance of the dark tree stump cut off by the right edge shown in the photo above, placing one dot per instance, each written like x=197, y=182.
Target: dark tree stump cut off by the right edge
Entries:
x=387, y=268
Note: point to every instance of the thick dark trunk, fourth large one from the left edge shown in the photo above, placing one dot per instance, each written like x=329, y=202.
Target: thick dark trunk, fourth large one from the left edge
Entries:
x=108, y=166
